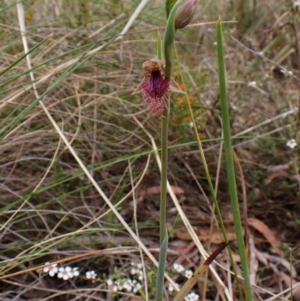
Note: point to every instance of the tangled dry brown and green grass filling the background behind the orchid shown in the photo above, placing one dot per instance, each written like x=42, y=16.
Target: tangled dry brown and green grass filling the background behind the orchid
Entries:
x=84, y=72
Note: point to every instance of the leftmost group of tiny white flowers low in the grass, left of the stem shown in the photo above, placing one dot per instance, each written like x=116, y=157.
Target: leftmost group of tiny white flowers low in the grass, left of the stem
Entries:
x=67, y=272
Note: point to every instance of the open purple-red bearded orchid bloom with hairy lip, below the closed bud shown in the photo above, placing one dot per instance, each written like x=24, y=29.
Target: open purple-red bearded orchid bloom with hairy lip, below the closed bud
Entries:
x=155, y=89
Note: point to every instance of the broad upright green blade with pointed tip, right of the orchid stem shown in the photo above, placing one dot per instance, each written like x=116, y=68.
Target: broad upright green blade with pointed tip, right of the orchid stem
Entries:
x=230, y=163
